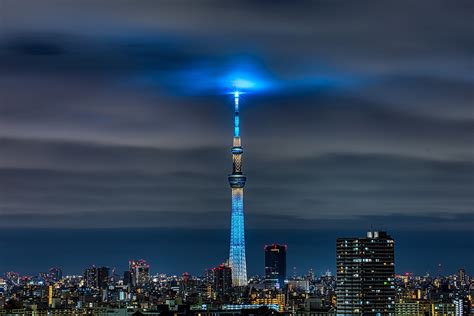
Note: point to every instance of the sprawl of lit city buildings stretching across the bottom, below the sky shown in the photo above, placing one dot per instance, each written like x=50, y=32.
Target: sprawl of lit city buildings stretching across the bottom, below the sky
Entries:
x=365, y=283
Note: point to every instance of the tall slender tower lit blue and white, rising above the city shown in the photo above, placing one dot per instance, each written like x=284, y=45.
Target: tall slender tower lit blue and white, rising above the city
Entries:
x=237, y=231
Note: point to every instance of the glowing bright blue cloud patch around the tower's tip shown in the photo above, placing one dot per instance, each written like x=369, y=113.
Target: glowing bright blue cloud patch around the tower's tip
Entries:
x=216, y=78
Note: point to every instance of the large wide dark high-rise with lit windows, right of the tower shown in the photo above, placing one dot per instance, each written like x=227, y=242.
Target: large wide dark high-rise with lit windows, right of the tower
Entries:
x=365, y=275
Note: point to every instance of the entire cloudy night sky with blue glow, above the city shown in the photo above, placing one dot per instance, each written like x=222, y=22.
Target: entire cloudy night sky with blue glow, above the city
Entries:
x=116, y=128
